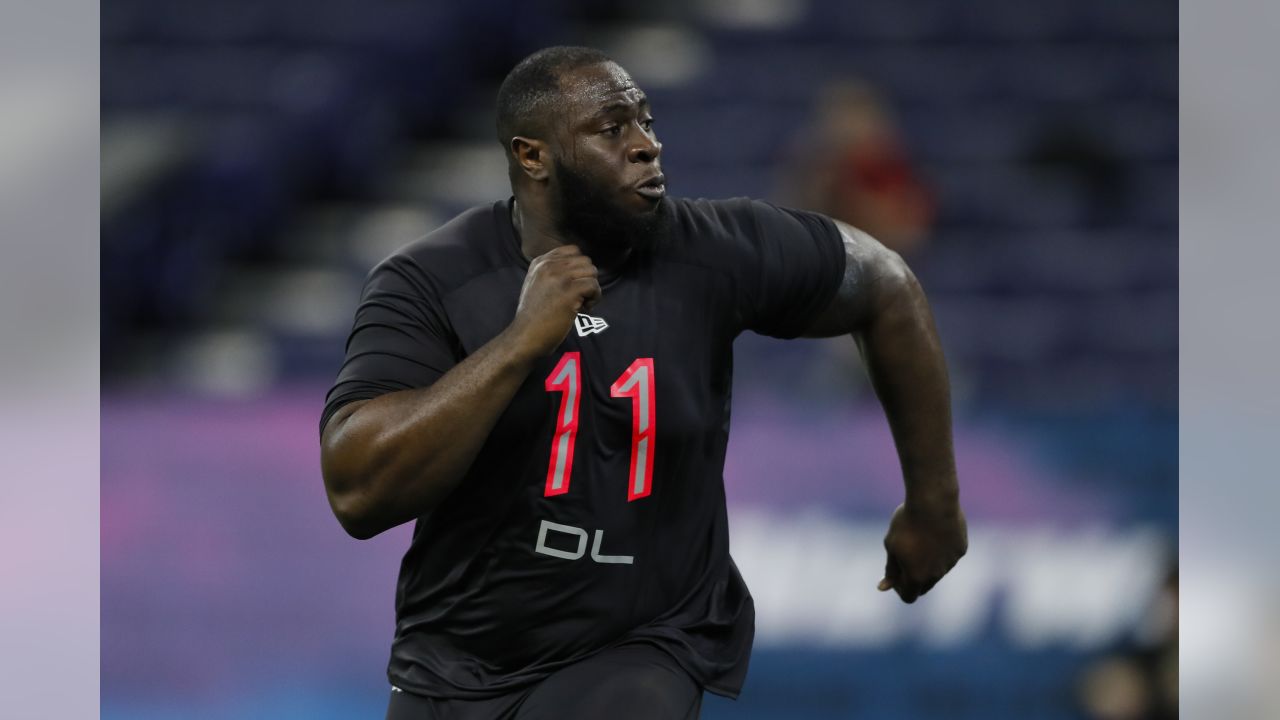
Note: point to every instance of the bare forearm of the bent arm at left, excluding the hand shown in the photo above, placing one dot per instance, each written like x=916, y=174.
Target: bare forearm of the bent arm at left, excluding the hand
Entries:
x=396, y=457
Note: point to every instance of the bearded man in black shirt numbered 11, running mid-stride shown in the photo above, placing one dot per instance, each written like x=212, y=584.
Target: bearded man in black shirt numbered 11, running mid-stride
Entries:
x=543, y=386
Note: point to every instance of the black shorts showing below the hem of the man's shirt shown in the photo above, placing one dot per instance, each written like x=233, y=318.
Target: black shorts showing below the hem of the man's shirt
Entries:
x=632, y=682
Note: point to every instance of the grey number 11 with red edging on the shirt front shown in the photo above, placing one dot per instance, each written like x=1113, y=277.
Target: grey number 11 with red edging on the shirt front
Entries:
x=636, y=382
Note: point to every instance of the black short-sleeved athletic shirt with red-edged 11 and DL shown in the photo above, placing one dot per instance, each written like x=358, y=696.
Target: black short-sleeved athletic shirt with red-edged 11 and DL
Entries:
x=595, y=513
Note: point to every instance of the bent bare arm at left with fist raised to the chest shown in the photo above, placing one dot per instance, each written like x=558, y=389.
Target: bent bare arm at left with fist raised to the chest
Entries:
x=395, y=458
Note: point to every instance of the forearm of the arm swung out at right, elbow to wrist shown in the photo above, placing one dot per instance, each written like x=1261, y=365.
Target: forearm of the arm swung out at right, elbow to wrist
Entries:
x=904, y=359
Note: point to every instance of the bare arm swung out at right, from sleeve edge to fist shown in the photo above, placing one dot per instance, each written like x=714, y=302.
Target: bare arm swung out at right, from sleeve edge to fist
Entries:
x=883, y=306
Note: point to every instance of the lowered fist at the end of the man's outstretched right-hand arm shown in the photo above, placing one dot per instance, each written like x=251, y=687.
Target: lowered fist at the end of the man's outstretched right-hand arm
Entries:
x=925, y=541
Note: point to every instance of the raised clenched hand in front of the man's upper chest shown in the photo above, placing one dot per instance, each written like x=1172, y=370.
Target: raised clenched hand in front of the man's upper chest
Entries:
x=560, y=284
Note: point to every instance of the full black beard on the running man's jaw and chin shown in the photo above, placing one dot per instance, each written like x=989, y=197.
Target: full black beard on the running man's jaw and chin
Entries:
x=607, y=234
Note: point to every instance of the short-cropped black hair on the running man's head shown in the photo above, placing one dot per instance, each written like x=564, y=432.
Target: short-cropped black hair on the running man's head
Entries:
x=533, y=86
